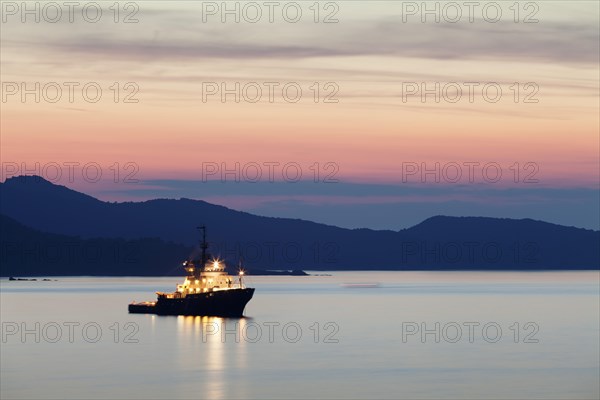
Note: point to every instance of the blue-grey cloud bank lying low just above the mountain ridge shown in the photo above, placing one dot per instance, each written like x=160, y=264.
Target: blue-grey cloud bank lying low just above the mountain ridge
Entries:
x=380, y=206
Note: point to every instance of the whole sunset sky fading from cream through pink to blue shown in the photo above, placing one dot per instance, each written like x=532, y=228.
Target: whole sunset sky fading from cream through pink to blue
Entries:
x=373, y=114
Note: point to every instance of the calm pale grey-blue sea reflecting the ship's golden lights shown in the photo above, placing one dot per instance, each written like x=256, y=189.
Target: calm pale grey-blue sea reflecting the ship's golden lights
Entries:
x=410, y=335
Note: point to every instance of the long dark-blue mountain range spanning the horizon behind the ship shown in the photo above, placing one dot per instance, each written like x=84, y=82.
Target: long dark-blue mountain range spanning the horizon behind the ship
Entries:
x=167, y=229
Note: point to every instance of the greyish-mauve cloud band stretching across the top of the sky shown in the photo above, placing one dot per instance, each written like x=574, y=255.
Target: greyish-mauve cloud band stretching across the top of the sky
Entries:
x=180, y=35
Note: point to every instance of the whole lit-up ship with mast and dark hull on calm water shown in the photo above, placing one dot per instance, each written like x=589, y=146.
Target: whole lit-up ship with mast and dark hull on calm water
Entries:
x=208, y=290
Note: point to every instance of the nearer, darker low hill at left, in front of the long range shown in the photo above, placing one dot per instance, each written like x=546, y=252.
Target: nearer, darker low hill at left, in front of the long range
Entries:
x=27, y=252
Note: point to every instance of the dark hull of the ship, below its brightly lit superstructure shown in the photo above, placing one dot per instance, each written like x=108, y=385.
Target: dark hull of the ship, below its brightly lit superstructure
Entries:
x=222, y=303
